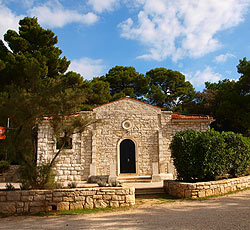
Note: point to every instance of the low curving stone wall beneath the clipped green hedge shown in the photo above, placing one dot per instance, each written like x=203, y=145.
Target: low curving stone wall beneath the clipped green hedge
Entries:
x=204, y=189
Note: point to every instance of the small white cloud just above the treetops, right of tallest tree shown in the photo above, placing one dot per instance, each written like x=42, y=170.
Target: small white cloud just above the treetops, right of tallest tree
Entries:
x=88, y=68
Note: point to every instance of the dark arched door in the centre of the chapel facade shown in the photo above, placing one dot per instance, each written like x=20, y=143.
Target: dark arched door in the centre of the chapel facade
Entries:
x=127, y=156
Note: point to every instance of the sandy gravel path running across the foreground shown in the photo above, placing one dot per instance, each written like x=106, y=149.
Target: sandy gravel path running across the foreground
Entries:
x=229, y=212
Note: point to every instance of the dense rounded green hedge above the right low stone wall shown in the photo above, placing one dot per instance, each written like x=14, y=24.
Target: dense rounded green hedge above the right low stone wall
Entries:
x=204, y=156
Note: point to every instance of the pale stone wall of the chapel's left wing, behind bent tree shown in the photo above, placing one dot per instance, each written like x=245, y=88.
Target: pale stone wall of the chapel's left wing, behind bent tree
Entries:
x=72, y=164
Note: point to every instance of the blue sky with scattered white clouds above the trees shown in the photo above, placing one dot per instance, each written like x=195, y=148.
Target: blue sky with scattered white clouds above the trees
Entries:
x=203, y=39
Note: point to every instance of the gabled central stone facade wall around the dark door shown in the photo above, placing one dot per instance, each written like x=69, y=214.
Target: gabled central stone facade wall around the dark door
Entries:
x=144, y=120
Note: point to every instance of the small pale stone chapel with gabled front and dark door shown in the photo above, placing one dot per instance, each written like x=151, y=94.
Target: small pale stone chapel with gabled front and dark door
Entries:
x=132, y=140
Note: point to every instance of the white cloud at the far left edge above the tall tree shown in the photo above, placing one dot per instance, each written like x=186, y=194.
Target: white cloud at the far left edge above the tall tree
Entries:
x=8, y=20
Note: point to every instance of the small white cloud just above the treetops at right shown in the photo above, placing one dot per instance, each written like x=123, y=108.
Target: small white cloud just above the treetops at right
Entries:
x=200, y=77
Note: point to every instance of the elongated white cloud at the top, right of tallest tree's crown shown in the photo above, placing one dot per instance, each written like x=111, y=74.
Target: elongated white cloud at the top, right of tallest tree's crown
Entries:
x=53, y=14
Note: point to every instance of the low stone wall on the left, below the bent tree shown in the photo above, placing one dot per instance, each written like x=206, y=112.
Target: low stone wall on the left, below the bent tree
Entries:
x=33, y=201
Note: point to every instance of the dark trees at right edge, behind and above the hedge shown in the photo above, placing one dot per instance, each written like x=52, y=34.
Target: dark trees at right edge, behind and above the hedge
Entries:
x=227, y=101
